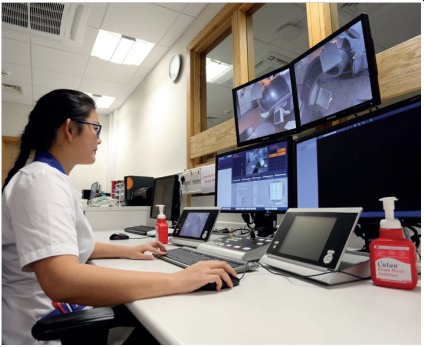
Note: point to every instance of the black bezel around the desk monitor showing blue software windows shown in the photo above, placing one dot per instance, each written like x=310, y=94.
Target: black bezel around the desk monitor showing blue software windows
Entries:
x=290, y=162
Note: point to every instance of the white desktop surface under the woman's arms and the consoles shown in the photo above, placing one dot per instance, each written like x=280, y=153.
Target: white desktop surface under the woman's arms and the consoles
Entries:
x=269, y=309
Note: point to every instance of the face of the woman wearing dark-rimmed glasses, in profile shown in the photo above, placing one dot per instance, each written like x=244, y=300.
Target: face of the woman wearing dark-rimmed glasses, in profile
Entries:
x=87, y=141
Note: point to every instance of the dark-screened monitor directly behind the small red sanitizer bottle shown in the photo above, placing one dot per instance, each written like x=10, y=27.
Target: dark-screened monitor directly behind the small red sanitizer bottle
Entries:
x=166, y=191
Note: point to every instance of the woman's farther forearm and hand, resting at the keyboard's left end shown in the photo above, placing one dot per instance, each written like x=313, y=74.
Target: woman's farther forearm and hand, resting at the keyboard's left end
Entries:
x=107, y=250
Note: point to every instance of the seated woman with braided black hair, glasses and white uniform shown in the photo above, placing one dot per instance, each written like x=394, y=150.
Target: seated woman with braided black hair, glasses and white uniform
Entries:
x=47, y=239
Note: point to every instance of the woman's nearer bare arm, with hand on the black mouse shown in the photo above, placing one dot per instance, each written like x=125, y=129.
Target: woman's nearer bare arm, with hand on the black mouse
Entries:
x=64, y=279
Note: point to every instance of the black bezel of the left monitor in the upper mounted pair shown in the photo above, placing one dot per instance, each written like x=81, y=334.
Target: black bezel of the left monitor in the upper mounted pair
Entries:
x=269, y=137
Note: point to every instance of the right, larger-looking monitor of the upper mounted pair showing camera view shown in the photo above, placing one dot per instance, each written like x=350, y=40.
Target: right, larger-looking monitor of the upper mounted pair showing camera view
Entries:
x=338, y=76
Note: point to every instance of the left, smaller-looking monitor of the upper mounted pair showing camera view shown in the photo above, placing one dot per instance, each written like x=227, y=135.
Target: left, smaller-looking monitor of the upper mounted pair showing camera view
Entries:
x=264, y=107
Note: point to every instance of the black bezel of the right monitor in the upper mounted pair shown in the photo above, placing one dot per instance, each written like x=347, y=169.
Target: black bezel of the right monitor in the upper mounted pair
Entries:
x=372, y=68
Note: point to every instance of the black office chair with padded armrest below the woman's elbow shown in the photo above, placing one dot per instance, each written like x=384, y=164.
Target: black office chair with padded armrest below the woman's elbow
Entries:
x=88, y=327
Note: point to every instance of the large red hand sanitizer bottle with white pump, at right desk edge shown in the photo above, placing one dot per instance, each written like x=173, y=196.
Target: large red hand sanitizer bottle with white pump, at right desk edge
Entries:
x=393, y=257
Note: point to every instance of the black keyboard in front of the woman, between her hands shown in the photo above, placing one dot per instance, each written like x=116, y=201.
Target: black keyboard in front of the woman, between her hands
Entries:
x=185, y=256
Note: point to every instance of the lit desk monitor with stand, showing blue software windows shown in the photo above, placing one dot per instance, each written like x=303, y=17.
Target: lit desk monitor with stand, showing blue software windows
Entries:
x=255, y=181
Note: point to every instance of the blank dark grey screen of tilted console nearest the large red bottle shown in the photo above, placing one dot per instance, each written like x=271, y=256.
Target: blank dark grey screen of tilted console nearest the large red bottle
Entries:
x=307, y=236
